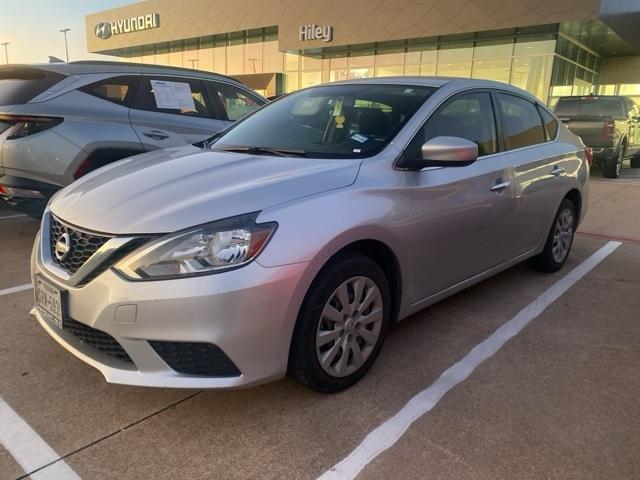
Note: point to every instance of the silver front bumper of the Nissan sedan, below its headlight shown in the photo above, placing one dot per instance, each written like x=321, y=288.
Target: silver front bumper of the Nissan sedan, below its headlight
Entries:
x=248, y=313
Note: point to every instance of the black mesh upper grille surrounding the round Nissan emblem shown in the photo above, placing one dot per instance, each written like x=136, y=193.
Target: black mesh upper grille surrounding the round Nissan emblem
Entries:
x=82, y=245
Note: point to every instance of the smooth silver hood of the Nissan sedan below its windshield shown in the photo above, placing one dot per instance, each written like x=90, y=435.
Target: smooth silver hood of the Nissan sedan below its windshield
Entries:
x=168, y=190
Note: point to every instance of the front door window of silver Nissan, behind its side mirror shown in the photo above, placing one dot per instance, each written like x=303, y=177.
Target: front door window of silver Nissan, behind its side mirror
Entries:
x=469, y=116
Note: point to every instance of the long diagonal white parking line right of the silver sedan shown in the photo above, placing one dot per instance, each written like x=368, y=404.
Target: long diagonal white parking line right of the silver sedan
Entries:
x=390, y=431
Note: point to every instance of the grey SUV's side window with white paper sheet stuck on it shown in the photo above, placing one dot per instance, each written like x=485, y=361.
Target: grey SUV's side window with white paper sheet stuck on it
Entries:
x=178, y=96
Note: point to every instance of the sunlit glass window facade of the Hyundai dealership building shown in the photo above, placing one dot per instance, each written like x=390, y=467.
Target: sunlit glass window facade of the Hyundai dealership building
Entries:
x=542, y=60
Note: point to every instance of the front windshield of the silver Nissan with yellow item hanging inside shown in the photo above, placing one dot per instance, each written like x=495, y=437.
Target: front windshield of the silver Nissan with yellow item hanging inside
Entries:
x=332, y=121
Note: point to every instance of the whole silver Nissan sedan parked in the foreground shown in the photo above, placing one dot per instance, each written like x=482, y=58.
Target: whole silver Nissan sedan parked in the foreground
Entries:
x=305, y=231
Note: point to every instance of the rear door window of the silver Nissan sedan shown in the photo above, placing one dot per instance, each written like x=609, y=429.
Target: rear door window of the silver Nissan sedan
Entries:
x=521, y=120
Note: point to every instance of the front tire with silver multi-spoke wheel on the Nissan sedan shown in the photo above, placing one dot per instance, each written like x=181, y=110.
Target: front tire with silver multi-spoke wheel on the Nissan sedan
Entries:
x=323, y=315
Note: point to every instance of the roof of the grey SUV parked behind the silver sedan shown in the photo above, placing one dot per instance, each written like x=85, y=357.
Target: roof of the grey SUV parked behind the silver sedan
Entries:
x=97, y=66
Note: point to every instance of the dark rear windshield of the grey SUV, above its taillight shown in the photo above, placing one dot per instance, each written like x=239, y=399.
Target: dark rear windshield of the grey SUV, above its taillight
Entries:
x=18, y=85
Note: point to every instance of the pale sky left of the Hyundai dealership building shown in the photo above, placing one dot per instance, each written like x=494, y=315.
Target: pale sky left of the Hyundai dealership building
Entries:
x=32, y=27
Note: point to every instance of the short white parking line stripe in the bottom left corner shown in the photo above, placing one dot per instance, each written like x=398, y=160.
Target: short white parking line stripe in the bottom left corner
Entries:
x=29, y=450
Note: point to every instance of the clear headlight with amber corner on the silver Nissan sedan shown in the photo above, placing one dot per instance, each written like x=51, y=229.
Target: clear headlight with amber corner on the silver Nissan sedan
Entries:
x=202, y=250
